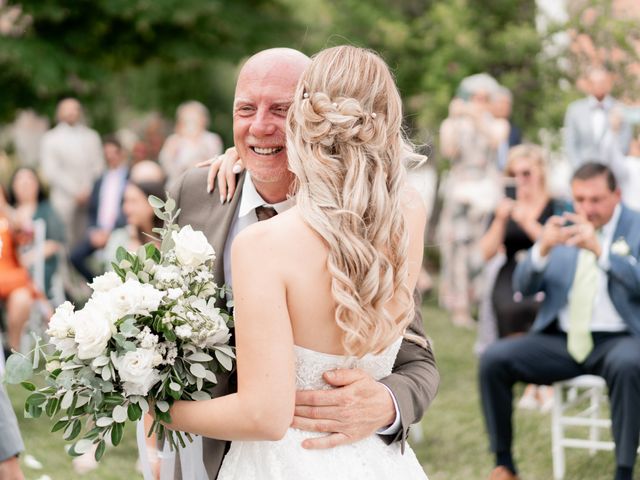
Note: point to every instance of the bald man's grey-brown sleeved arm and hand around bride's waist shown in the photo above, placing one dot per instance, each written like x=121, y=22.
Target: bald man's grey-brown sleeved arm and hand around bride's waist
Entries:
x=360, y=406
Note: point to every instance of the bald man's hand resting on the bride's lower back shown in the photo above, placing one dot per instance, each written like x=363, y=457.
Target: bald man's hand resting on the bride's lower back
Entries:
x=357, y=408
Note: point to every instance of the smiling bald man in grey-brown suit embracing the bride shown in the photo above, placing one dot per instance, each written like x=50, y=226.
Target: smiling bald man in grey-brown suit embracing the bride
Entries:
x=359, y=406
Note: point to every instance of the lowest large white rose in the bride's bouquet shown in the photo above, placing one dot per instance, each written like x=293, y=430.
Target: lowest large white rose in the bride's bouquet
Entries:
x=137, y=372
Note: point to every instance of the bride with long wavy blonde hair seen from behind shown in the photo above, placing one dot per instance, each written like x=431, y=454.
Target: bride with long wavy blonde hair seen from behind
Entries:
x=328, y=283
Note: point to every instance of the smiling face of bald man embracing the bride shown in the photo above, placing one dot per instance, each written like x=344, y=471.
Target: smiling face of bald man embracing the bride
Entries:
x=264, y=93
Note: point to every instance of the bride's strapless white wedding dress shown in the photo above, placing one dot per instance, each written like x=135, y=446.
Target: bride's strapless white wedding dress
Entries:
x=285, y=459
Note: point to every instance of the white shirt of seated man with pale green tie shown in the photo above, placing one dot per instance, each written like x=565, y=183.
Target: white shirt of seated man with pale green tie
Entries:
x=604, y=317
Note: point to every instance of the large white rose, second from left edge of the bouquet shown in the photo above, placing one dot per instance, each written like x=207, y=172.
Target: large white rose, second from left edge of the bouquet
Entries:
x=93, y=327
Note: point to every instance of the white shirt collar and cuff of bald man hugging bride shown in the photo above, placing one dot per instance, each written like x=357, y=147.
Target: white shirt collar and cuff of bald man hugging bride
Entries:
x=245, y=216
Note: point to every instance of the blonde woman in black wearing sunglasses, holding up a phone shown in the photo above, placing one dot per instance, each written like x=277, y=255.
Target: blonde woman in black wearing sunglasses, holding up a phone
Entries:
x=516, y=224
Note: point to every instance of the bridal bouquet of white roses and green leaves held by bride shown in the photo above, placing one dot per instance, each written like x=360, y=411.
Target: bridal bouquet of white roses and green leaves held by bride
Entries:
x=149, y=334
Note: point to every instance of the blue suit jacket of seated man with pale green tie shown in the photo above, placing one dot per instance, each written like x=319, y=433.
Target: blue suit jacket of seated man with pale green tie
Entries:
x=556, y=280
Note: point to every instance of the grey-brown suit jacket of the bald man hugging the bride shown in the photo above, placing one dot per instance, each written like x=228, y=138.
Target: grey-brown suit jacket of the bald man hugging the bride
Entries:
x=414, y=382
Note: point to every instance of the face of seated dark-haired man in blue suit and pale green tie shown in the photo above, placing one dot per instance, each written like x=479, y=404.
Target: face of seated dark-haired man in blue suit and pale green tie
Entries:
x=593, y=199
